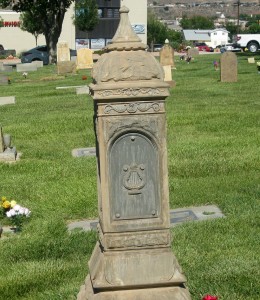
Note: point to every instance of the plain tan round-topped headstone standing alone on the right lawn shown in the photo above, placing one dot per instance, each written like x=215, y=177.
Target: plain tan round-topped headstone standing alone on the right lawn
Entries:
x=228, y=67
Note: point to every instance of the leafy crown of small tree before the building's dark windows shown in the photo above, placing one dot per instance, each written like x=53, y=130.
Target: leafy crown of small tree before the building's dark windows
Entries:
x=86, y=14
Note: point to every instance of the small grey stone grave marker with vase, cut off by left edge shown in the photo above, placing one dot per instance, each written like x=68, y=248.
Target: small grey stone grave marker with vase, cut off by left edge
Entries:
x=7, y=153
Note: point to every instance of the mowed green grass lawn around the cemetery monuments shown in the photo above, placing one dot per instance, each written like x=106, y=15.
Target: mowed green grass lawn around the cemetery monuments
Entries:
x=213, y=156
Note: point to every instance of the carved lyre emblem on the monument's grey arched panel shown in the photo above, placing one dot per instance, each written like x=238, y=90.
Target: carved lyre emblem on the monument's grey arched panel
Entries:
x=134, y=178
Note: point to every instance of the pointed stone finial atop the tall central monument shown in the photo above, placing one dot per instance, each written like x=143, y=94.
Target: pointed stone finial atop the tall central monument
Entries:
x=125, y=38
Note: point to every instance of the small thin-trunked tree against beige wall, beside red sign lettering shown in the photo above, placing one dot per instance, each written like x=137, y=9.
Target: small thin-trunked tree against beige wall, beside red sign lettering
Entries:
x=29, y=23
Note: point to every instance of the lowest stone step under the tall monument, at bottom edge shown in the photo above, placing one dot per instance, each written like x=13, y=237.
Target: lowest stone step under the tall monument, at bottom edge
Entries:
x=161, y=293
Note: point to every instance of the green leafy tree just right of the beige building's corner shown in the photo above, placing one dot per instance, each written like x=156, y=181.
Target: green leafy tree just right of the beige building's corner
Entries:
x=158, y=32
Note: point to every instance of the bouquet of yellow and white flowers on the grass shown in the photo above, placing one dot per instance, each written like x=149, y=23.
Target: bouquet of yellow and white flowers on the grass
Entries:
x=16, y=213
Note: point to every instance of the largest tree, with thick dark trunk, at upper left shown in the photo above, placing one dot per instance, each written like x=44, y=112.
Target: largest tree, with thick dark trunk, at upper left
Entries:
x=50, y=16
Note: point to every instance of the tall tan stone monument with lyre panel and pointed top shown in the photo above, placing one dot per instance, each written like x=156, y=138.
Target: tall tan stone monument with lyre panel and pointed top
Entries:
x=133, y=259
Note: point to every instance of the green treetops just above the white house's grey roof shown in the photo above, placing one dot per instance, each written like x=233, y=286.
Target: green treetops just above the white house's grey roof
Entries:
x=197, y=22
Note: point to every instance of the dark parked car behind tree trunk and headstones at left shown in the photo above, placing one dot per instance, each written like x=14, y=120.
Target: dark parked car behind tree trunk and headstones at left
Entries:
x=39, y=53
